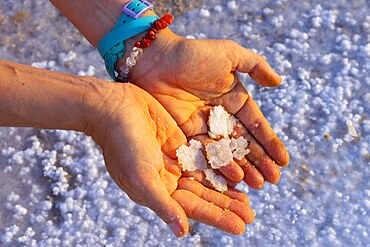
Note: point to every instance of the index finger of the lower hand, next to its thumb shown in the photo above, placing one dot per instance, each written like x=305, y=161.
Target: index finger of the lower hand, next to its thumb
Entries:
x=208, y=213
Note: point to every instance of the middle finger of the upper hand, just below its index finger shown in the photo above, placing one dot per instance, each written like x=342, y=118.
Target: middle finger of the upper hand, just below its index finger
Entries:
x=258, y=157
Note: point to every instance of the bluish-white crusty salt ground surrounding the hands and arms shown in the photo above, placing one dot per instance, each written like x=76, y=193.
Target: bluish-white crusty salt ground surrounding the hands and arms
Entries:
x=55, y=190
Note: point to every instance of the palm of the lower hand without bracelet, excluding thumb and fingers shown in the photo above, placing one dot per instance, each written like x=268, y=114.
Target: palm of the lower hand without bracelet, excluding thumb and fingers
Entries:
x=140, y=134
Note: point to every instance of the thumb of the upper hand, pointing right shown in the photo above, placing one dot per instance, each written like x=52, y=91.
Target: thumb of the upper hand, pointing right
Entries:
x=256, y=66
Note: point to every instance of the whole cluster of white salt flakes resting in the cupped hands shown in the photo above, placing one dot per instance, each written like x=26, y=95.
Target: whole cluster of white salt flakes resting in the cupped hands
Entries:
x=220, y=151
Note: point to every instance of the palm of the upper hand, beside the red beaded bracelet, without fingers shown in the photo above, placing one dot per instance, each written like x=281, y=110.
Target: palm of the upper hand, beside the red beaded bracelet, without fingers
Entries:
x=190, y=79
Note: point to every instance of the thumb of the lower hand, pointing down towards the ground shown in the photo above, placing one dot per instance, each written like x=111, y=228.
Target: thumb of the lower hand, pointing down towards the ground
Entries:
x=168, y=209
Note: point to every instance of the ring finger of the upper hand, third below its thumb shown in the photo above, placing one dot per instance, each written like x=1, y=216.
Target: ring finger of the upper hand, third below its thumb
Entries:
x=252, y=175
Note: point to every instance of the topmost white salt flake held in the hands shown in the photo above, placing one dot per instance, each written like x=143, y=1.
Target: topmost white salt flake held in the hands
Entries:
x=220, y=123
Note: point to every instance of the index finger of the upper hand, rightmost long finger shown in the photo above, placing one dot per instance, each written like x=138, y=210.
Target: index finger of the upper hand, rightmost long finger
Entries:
x=252, y=118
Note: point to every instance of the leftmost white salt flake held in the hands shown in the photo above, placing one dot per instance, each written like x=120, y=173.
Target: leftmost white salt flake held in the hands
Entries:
x=191, y=158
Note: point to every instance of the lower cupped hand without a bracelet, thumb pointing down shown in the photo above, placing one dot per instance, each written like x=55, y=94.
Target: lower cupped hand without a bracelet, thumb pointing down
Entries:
x=139, y=140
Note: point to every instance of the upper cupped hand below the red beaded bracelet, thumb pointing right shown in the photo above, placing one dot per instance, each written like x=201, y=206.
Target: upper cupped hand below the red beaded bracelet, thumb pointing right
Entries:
x=188, y=77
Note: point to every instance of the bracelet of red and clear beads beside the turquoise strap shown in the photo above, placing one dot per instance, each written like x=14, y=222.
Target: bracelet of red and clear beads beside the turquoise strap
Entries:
x=145, y=42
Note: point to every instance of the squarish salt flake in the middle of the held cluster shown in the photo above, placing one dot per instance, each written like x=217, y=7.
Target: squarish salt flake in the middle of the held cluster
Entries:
x=219, y=153
